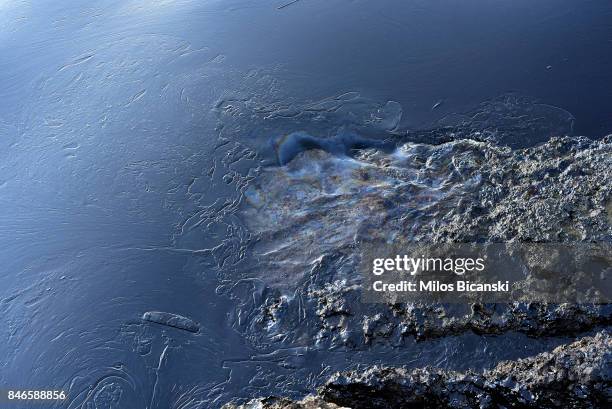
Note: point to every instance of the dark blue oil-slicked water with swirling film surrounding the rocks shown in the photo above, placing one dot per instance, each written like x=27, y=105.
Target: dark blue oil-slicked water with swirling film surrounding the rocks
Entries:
x=130, y=129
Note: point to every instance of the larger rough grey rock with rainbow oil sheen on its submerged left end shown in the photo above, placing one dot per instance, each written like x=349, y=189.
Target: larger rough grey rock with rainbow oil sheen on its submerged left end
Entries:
x=314, y=210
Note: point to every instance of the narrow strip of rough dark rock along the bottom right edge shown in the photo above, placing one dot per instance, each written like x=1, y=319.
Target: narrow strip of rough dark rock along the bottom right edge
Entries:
x=576, y=375
